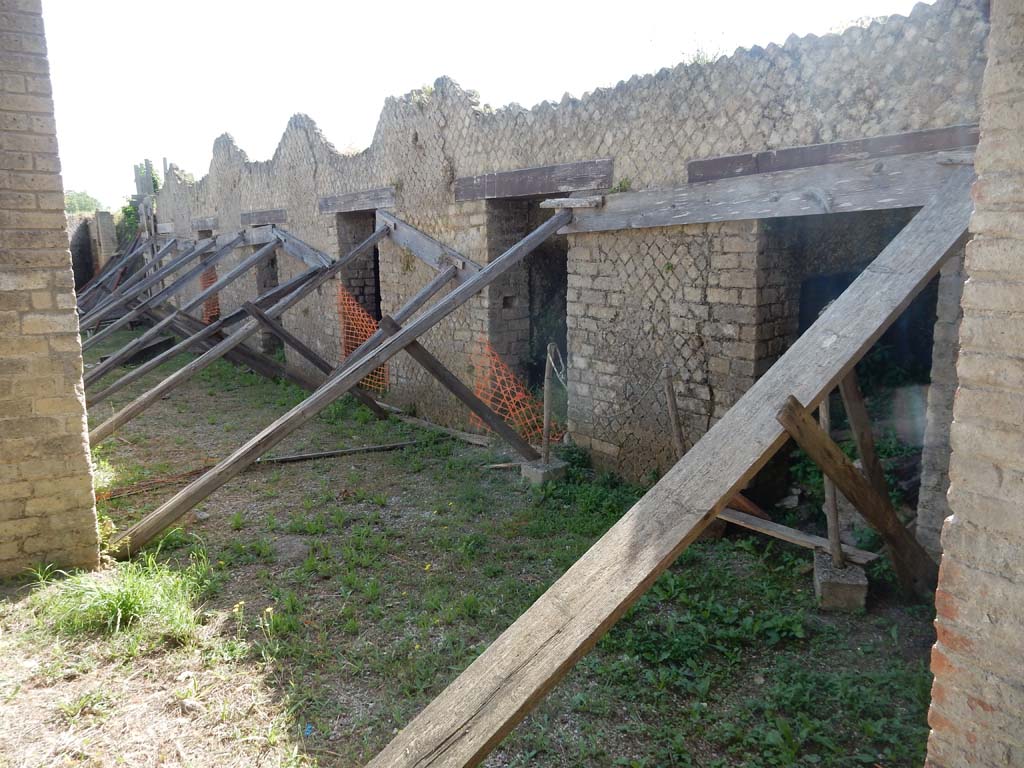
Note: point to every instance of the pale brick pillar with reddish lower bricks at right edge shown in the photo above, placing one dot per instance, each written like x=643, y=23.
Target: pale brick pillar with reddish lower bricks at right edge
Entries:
x=978, y=695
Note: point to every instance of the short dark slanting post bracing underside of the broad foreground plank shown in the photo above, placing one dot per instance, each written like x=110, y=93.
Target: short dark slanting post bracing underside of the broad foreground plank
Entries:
x=915, y=569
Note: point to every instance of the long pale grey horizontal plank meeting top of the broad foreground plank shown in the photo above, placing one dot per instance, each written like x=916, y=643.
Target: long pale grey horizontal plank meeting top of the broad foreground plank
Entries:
x=903, y=182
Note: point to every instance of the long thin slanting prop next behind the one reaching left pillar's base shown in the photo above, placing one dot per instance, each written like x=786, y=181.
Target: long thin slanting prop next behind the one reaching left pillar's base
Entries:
x=183, y=375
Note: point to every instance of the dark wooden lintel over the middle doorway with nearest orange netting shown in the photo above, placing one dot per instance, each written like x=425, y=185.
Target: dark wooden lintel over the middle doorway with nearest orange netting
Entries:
x=526, y=183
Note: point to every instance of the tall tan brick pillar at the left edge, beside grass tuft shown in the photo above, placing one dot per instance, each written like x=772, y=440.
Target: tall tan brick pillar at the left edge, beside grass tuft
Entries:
x=48, y=513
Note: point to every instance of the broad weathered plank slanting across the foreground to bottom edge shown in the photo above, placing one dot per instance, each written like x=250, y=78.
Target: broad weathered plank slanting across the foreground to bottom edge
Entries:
x=498, y=690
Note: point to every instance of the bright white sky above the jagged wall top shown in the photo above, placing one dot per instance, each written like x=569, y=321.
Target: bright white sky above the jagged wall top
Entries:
x=164, y=78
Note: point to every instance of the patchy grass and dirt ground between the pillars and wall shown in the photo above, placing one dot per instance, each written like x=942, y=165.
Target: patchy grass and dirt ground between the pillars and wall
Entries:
x=387, y=574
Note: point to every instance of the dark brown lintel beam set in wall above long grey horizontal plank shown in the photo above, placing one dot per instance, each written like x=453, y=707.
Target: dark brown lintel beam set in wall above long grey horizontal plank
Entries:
x=731, y=166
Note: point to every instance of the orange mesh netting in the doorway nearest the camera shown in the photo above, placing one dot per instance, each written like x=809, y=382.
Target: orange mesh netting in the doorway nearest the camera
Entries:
x=502, y=391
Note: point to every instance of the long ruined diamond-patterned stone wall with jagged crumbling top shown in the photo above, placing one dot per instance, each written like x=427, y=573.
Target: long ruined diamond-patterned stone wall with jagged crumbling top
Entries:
x=700, y=298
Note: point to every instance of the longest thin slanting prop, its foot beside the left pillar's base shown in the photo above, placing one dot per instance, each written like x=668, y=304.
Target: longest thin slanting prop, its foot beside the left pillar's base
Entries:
x=143, y=532
